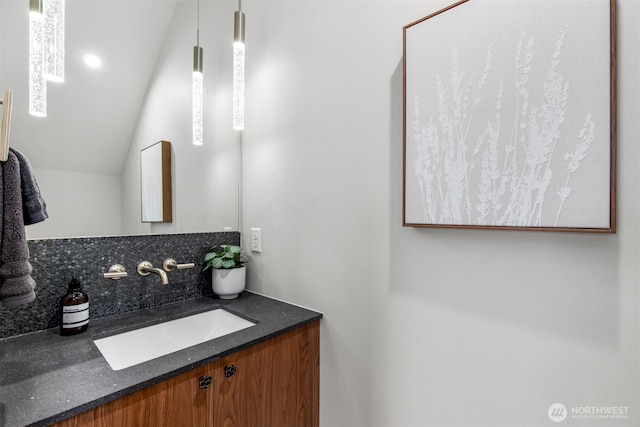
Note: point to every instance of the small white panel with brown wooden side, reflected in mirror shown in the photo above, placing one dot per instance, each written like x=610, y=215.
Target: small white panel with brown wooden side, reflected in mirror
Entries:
x=155, y=179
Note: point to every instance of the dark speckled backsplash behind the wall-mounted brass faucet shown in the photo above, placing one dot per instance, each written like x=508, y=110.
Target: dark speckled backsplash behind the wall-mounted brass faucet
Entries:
x=56, y=261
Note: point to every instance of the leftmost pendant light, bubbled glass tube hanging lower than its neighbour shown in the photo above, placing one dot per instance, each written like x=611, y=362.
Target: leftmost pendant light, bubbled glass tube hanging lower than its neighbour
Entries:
x=37, y=81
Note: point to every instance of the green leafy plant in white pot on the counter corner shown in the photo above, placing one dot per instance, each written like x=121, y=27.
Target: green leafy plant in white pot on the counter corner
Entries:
x=228, y=272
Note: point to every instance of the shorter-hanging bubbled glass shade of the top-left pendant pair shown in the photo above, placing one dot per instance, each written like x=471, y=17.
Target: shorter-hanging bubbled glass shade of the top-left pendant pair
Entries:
x=54, y=39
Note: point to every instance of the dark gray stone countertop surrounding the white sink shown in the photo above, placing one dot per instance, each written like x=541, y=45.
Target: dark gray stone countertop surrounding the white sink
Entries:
x=45, y=377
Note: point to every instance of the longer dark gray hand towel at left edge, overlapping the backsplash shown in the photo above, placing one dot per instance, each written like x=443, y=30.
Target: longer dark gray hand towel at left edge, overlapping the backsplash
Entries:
x=16, y=284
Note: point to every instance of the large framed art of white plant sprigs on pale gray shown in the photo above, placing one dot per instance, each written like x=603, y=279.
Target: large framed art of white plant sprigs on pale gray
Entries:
x=509, y=116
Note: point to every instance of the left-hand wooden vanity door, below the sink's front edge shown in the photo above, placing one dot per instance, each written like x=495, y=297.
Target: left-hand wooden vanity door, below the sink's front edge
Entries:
x=184, y=400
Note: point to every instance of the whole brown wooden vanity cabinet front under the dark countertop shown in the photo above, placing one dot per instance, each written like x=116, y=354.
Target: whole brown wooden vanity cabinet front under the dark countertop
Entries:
x=274, y=383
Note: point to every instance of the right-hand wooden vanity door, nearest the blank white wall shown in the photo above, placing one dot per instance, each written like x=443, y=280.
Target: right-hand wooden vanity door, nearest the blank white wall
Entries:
x=275, y=383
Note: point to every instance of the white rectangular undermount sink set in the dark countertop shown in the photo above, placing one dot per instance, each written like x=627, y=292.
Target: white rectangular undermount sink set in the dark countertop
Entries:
x=144, y=344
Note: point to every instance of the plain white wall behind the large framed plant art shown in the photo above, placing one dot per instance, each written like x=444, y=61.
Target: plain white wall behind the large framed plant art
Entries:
x=423, y=327
